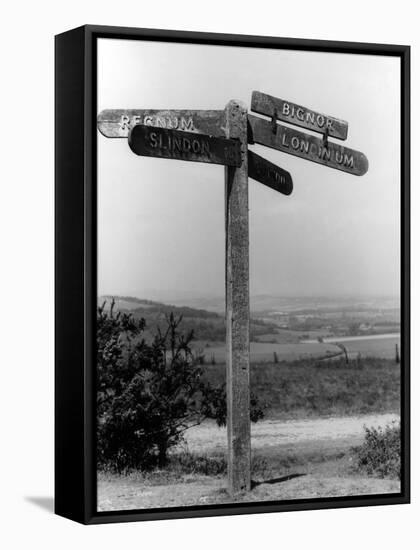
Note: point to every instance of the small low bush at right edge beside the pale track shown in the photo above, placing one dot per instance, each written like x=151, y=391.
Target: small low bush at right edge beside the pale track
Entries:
x=380, y=454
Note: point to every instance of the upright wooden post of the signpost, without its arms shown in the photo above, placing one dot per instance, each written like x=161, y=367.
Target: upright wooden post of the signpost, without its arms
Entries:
x=237, y=306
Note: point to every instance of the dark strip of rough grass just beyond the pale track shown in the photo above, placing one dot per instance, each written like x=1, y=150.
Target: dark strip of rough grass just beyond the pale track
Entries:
x=310, y=388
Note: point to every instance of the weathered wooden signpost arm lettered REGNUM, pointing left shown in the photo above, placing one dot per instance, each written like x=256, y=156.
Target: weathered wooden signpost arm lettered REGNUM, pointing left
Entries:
x=116, y=123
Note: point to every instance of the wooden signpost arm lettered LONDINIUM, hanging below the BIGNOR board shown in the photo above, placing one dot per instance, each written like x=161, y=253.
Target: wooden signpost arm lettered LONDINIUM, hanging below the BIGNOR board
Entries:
x=291, y=141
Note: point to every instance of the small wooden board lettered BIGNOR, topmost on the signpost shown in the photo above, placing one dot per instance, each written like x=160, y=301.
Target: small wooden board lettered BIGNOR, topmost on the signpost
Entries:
x=298, y=115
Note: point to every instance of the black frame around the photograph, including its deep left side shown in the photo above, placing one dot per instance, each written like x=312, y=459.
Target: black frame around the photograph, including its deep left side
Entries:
x=76, y=270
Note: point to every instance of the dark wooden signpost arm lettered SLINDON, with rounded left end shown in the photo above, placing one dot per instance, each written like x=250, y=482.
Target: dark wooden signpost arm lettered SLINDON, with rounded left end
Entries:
x=178, y=145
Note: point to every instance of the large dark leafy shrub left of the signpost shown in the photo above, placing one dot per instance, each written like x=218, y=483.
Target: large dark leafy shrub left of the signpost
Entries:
x=149, y=394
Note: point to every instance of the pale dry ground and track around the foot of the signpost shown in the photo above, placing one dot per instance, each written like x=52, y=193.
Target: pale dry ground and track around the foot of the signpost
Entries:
x=305, y=459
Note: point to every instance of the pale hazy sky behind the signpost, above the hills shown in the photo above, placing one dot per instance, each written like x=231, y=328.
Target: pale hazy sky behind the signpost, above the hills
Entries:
x=161, y=222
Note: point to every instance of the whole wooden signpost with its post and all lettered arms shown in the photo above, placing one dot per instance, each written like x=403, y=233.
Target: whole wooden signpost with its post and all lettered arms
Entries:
x=222, y=137
